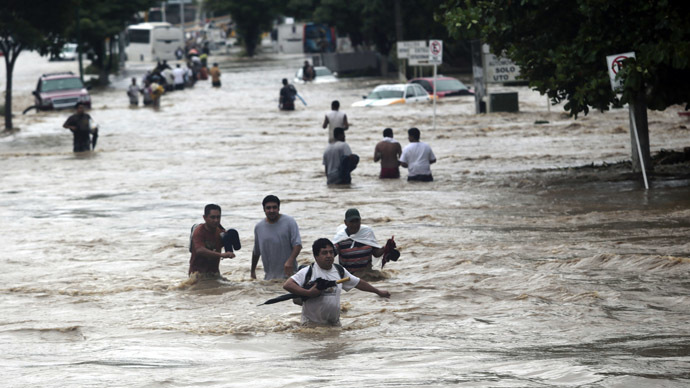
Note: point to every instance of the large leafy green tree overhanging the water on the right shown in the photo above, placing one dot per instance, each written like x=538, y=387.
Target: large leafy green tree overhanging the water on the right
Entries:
x=561, y=48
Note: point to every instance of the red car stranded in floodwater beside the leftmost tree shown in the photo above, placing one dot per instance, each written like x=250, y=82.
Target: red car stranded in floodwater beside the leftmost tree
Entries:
x=60, y=91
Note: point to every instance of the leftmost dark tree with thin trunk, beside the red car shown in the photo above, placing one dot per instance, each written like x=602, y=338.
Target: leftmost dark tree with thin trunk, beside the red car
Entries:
x=29, y=25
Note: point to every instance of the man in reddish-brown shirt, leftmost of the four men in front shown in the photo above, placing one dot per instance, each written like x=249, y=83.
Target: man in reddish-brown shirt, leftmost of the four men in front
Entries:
x=207, y=243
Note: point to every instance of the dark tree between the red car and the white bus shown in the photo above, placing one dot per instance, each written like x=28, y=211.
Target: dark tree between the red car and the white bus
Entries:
x=100, y=21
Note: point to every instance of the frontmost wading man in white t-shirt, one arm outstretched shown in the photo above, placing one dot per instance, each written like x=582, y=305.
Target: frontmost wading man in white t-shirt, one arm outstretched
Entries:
x=323, y=305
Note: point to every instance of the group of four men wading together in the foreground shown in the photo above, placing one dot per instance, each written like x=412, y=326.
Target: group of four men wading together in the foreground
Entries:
x=277, y=242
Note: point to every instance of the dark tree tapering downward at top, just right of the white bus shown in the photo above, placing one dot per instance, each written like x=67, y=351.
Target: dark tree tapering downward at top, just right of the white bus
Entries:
x=251, y=18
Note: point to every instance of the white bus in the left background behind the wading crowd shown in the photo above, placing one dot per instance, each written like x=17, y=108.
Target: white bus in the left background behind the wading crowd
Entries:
x=153, y=41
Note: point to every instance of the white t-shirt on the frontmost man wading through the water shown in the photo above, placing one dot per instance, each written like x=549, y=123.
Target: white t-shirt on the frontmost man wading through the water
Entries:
x=324, y=309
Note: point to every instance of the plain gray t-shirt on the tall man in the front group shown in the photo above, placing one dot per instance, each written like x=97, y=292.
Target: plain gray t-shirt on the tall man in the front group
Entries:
x=274, y=242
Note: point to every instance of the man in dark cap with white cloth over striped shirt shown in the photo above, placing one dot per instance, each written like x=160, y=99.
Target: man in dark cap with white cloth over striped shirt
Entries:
x=355, y=243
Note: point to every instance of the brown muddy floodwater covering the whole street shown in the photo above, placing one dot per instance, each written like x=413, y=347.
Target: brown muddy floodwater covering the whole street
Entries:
x=517, y=269
